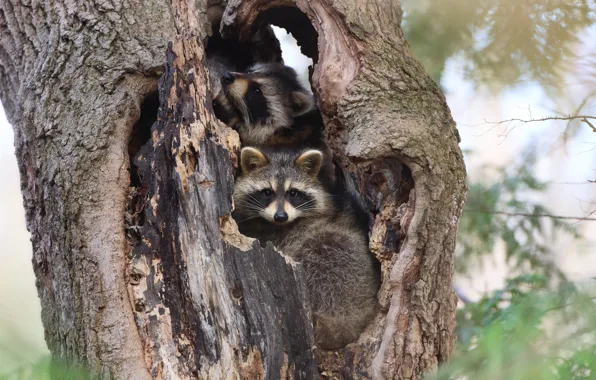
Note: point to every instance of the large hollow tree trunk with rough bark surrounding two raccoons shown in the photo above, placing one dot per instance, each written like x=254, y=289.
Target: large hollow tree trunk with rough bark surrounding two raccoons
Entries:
x=140, y=269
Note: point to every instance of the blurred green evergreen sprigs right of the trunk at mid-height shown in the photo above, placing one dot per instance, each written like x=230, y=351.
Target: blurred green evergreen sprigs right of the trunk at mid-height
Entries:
x=505, y=209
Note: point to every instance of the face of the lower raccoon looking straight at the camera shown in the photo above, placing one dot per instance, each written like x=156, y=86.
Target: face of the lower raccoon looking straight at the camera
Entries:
x=280, y=187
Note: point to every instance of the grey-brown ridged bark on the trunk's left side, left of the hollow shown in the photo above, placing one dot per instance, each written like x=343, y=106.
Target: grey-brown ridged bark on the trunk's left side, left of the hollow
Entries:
x=71, y=80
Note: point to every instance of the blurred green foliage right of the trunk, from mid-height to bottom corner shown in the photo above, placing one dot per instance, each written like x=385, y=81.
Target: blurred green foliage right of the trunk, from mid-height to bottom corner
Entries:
x=539, y=325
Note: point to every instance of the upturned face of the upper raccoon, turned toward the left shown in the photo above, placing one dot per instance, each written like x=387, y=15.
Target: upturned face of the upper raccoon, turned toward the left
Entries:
x=268, y=96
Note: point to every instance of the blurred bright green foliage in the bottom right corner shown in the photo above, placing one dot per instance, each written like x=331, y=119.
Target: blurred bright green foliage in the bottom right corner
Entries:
x=527, y=330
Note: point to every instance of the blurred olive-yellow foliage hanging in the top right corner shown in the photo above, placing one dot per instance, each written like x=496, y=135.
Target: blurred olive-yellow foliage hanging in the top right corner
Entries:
x=501, y=41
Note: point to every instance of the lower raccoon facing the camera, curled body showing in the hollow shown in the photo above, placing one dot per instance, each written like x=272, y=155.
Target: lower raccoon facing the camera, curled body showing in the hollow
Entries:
x=279, y=198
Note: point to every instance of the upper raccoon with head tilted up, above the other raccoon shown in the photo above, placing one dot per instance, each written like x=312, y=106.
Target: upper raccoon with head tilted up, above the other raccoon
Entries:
x=275, y=108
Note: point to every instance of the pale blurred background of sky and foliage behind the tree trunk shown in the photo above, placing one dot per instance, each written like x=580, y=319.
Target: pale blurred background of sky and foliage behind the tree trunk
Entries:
x=520, y=79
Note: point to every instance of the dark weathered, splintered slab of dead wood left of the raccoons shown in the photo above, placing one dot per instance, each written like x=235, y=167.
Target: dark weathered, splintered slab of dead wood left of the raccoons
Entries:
x=209, y=302
